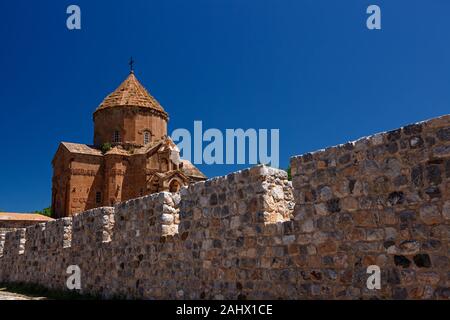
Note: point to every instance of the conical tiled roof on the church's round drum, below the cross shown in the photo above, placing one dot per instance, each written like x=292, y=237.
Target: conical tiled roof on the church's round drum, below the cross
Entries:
x=131, y=93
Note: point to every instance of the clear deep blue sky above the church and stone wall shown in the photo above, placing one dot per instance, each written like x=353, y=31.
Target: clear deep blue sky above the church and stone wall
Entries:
x=310, y=68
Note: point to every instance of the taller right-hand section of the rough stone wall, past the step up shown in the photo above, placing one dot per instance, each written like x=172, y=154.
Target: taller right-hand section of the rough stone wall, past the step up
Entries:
x=382, y=200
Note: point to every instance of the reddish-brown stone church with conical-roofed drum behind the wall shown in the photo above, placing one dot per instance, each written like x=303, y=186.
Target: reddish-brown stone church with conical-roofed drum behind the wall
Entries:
x=132, y=155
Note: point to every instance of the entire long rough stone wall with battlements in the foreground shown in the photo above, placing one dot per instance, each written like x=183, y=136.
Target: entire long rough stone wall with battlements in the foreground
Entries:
x=382, y=200
